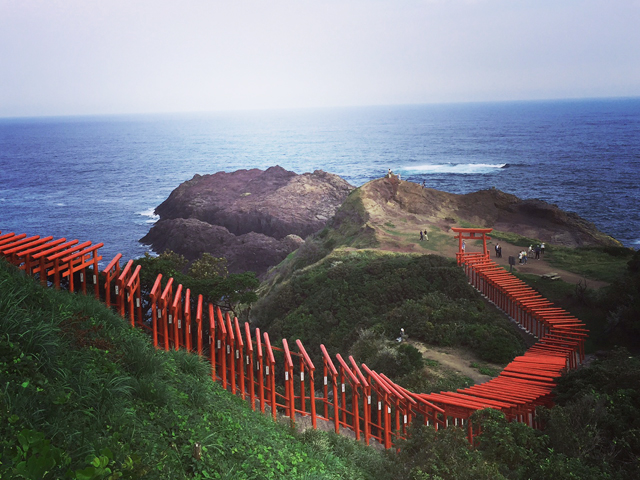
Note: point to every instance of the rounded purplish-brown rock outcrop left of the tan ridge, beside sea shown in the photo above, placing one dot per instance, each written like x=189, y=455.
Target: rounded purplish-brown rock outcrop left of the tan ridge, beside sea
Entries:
x=254, y=218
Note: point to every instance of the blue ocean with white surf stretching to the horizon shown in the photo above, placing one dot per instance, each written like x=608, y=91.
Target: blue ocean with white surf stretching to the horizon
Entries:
x=100, y=178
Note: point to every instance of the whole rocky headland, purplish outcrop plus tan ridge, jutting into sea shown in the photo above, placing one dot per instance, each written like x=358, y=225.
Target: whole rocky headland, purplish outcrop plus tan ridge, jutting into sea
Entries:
x=256, y=218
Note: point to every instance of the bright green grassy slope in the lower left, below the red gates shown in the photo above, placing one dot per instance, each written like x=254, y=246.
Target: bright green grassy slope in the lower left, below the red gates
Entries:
x=84, y=396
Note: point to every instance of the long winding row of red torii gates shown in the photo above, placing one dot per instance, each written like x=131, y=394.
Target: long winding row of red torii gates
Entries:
x=282, y=379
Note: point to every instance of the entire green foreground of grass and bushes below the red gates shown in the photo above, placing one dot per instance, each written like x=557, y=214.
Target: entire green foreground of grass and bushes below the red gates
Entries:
x=84, y=396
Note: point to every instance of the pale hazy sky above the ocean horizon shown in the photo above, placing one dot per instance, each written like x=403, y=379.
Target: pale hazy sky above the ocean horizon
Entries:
x=62, y=57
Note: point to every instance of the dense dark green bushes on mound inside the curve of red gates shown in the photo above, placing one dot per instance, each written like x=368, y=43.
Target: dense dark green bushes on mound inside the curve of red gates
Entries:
x=350, y=292
